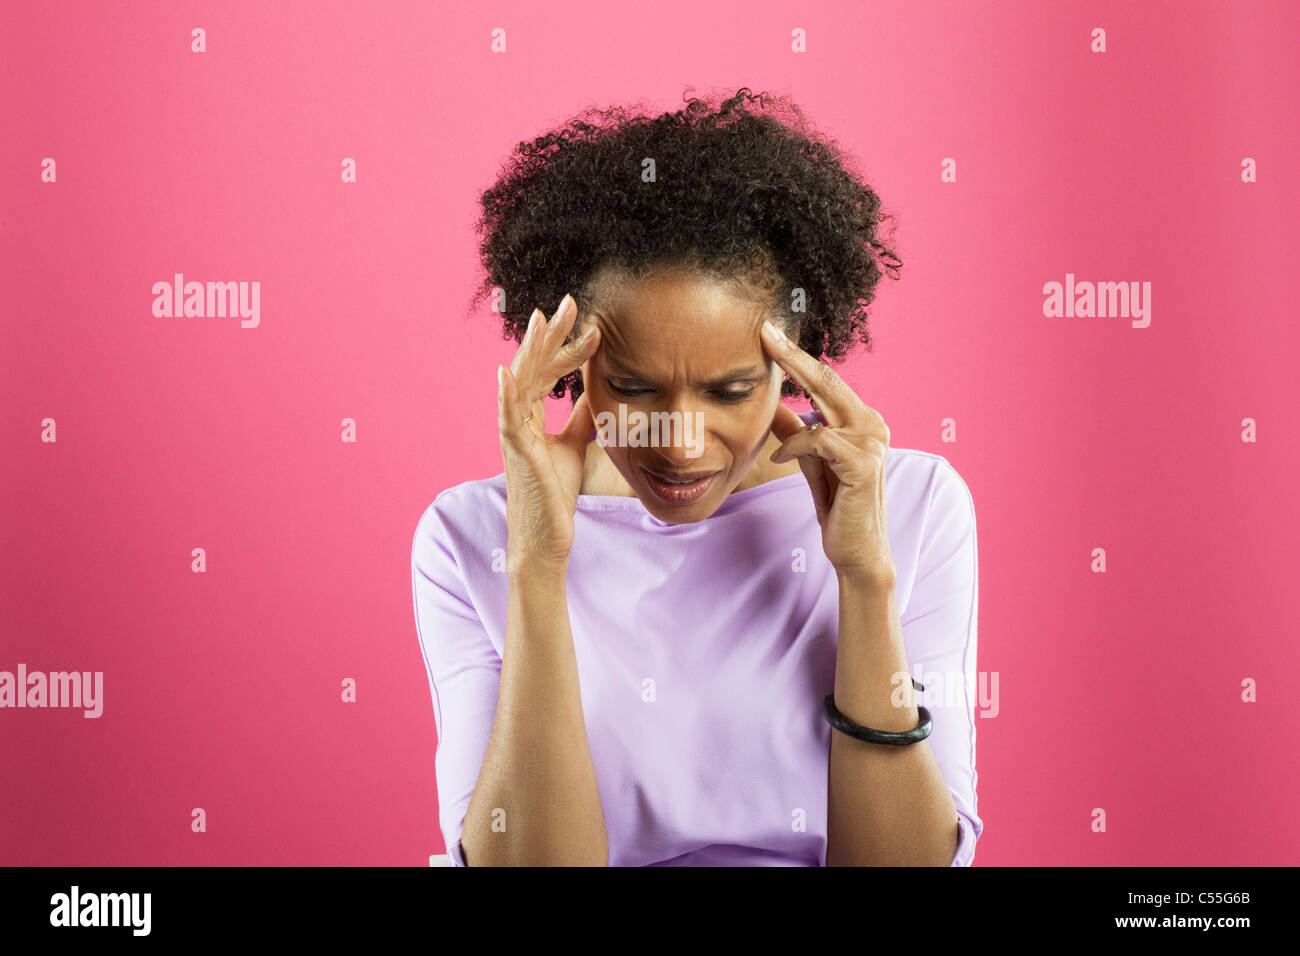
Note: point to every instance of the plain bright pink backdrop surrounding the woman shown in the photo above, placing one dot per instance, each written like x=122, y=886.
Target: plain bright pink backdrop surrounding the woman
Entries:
x=222, y=690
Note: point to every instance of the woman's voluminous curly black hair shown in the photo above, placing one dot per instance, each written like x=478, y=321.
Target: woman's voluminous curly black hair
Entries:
x=742, y=191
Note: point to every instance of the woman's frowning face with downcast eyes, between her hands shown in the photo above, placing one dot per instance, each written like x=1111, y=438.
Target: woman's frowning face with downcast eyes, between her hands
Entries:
x=681, y=388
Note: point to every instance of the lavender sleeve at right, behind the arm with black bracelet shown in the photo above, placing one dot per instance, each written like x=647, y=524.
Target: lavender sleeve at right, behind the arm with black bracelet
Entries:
x=939, y=629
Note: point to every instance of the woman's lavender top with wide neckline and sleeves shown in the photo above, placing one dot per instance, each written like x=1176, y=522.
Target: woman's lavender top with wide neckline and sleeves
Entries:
x=704, y=652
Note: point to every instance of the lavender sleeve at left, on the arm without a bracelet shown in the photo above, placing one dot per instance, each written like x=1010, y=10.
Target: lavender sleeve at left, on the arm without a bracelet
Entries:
x=463, y=667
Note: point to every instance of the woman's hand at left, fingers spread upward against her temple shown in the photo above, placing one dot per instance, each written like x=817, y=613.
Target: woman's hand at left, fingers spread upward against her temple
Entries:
x=544, y=473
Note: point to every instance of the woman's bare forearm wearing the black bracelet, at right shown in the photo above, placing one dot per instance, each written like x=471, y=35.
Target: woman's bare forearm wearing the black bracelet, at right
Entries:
x=887, y=806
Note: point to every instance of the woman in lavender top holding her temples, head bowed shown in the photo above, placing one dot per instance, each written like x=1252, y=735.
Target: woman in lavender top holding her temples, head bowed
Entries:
x=684, y=630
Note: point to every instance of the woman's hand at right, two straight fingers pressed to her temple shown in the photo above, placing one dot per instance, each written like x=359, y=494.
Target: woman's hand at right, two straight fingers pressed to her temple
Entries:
x=843, y=461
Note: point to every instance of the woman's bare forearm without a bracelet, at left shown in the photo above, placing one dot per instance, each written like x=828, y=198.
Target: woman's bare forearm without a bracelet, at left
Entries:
x=538, y=768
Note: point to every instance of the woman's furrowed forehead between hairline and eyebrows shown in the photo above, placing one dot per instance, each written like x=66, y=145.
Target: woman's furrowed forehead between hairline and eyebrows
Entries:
x=679, y=321
